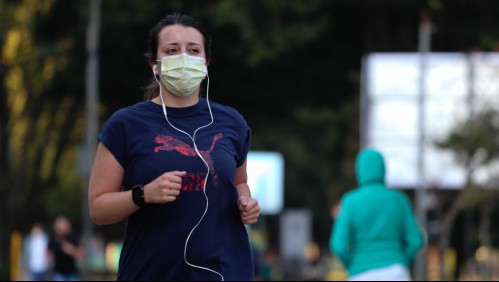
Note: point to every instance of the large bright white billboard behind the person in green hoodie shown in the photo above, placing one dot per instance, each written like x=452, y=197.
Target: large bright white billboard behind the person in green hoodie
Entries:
x=390, y=114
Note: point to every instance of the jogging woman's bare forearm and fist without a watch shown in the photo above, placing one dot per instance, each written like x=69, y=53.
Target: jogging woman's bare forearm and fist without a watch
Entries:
x=249, y=208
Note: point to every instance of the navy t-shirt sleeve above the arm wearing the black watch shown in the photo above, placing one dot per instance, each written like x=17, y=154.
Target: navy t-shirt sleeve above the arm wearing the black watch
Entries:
x=112, y=135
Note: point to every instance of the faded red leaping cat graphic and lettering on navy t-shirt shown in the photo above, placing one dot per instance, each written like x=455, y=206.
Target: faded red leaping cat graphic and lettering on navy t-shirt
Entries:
x=191, y=181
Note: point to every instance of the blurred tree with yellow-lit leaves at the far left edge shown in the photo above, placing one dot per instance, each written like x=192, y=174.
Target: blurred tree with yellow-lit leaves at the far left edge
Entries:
x=41, y=97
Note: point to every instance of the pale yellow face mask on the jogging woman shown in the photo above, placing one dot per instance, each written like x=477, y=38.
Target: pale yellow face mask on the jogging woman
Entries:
x=182, y=74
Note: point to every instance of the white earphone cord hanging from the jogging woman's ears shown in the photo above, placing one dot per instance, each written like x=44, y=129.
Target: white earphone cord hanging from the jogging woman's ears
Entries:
x=200, y=156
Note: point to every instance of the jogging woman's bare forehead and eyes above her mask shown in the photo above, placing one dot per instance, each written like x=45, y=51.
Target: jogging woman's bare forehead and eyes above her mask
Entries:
x=177, y=39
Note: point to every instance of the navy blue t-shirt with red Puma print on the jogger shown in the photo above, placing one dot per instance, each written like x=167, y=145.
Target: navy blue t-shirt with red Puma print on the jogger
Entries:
x=147, y=146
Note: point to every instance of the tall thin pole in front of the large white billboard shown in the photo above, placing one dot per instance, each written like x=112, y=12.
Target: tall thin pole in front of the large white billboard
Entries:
x=421, y=193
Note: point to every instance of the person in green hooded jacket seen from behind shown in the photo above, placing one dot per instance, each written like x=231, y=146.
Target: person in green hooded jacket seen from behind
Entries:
x=376, y=234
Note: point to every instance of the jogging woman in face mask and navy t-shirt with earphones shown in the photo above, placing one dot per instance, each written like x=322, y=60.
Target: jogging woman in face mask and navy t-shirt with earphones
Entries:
x=175, y=167
